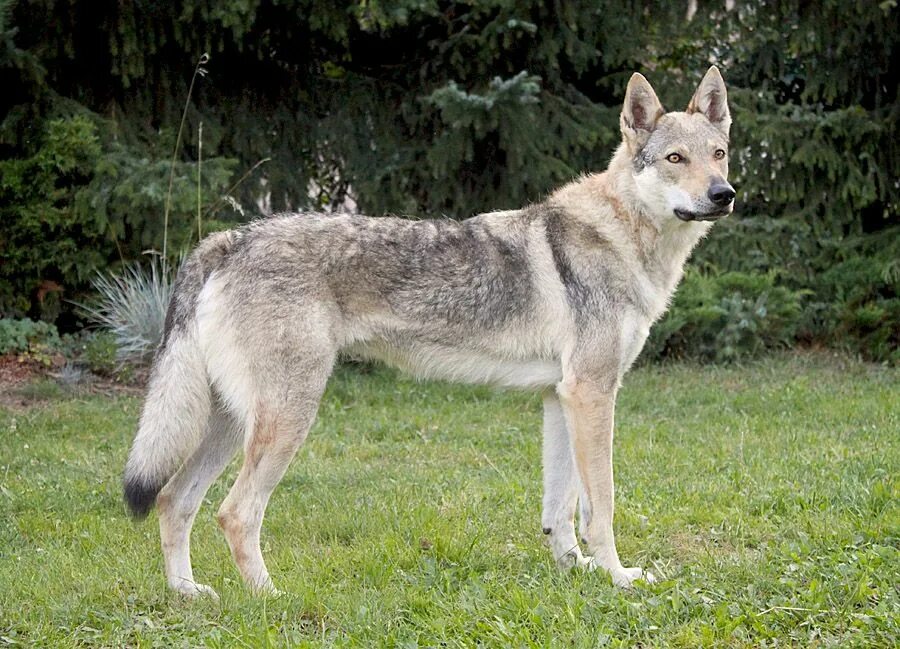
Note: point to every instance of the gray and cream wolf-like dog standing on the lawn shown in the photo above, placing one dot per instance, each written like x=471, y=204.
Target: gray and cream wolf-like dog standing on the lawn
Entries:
x=557, y=297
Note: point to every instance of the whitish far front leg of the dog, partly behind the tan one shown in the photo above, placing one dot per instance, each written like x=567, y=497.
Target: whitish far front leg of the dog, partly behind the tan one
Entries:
x=560, y=487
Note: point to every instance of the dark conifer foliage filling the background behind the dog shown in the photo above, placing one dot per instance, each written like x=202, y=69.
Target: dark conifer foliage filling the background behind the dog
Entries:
x=430, y=107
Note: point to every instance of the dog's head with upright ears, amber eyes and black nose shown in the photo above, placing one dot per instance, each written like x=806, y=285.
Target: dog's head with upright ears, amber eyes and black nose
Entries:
x=680, y=160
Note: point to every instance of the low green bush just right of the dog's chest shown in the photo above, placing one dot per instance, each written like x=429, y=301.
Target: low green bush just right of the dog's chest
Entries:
x=727, y=317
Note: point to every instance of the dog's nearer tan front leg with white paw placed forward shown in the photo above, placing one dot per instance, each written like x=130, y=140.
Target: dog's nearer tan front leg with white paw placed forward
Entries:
x=588, y=406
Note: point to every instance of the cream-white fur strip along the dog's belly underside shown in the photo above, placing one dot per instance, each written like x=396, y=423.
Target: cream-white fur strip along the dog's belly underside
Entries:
x=463, y=365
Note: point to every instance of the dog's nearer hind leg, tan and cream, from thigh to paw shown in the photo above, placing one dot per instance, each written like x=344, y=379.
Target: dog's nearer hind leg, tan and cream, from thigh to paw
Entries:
x=282, y=417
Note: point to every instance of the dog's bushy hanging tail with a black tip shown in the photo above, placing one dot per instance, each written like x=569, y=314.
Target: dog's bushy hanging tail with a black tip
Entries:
x=177, y=406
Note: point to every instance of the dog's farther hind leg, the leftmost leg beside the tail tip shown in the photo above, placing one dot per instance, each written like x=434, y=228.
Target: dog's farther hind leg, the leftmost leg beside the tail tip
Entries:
x=180, y=499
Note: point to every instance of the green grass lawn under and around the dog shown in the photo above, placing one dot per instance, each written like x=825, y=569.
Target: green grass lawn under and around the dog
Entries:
x=765, y=497
